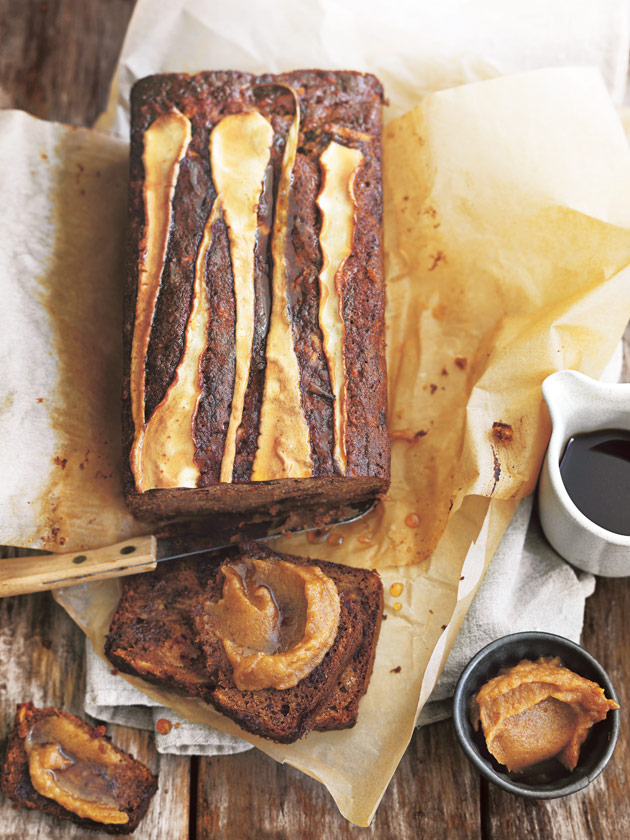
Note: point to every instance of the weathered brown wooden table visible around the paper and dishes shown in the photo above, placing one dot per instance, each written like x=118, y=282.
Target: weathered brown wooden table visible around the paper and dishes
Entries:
x=56, y=59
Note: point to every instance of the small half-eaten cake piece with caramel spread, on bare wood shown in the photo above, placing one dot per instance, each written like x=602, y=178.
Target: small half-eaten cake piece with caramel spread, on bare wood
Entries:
x=58, y=764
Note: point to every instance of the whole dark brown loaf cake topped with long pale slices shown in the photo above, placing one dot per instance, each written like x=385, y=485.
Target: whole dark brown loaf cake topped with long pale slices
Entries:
x=254, y=351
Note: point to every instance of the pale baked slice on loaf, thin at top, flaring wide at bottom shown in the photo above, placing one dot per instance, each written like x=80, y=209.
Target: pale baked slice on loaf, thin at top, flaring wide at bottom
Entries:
x=284, y=446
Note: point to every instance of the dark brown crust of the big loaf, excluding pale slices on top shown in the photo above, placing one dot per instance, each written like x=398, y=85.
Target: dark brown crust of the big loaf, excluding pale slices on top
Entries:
x=343, y=106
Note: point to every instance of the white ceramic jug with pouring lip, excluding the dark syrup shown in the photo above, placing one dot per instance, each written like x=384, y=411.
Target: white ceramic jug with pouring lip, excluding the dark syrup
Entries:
x=579, y=404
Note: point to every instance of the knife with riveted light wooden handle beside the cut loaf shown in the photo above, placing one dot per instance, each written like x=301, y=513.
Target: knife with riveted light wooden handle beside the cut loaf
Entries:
x=40, y=570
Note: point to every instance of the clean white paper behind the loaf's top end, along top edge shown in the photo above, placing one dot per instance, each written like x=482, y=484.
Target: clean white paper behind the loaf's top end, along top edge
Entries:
x=413, y=47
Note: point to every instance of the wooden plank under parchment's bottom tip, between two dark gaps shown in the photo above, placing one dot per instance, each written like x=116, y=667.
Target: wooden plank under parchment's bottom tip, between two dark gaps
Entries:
x=434, y=793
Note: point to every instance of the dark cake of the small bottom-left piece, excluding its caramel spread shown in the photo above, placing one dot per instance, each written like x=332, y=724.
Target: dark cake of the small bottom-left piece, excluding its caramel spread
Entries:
x=138, y=787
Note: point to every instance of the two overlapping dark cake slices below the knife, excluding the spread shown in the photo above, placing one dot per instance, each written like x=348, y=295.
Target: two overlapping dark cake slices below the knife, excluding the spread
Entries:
x=161, y=632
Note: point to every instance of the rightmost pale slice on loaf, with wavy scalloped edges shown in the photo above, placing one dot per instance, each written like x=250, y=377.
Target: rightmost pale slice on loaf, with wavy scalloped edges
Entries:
x=336, y=201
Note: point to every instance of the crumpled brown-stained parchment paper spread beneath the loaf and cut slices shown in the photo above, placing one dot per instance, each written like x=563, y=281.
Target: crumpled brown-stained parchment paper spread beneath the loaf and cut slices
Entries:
x=507, y=245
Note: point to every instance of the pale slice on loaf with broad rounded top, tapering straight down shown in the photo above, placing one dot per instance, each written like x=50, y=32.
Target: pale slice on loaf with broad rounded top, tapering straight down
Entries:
x=240, y=150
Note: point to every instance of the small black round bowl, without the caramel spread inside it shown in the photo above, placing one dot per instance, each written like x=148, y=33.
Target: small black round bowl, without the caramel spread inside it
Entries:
x=550, y=780
